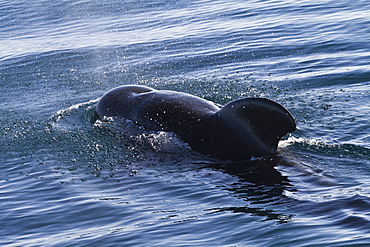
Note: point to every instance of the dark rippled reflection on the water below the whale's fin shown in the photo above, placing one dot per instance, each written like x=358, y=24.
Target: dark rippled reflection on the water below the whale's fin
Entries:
x=261, y=186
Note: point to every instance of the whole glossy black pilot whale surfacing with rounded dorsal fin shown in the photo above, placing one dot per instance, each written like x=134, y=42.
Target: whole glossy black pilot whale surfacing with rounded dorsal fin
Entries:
x=244, y=128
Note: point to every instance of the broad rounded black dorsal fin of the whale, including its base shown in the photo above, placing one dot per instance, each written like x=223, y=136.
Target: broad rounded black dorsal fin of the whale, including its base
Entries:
x=251, y=127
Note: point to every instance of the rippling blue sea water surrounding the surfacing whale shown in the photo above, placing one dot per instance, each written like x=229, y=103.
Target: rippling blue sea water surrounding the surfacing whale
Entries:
x=67, y=182
